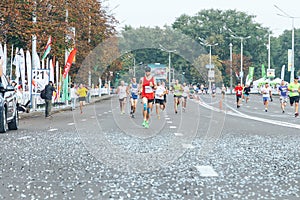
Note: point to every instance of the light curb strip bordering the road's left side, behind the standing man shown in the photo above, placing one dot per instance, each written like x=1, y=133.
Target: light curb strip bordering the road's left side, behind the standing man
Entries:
x=58, y=110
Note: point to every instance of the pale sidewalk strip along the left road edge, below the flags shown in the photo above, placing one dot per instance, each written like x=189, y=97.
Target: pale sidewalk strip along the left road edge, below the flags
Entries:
x=59, y=108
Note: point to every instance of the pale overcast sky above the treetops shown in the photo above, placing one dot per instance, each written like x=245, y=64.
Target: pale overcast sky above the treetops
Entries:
x=164, y=12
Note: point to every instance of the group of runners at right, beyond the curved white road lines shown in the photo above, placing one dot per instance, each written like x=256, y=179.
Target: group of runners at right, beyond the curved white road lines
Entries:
x=287, y=92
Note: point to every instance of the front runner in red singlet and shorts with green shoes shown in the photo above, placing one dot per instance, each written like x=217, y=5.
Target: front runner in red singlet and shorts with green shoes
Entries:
x=147, y=84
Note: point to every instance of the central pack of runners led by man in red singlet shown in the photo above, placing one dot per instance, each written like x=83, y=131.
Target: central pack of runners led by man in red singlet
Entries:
x=151, y=92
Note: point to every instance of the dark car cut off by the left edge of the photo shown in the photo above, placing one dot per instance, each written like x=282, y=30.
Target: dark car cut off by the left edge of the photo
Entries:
x=9, y=118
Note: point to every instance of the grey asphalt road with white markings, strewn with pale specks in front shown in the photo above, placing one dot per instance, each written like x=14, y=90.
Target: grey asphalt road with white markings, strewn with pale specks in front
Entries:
x=210, y=151
